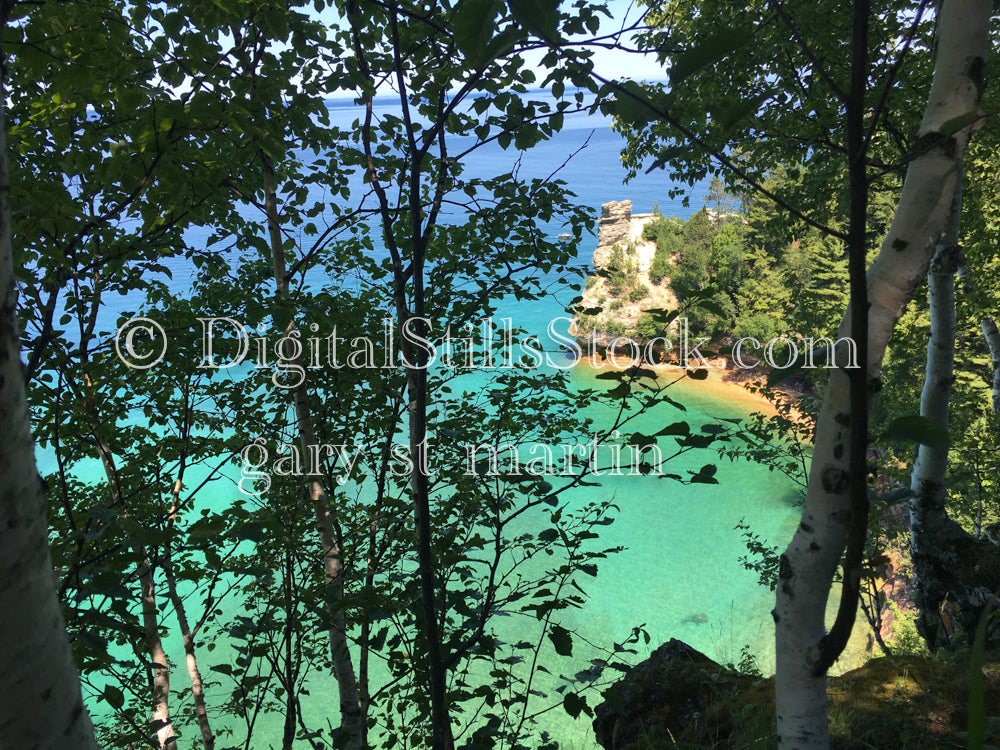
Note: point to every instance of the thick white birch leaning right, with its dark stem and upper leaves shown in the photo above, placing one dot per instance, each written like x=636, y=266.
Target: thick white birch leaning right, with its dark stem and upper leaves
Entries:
x=758, y=105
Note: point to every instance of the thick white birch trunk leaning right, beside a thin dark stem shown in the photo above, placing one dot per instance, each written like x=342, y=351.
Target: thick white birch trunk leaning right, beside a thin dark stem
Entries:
x=808, y=565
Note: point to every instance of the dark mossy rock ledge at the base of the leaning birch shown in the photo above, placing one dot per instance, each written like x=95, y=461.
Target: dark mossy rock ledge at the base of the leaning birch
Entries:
x=681, y=698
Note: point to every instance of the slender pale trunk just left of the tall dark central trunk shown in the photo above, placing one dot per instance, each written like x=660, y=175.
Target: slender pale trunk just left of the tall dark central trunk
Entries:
x=353, y=722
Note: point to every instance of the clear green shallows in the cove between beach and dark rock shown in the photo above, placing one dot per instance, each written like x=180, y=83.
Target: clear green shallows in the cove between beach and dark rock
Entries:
x=680, y=575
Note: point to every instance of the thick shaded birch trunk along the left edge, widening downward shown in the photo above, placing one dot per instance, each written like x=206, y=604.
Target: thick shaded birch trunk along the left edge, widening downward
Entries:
x=42, y=704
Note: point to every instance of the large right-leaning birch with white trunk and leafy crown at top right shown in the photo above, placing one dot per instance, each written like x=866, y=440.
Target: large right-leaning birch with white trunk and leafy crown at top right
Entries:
x=835, y=510
